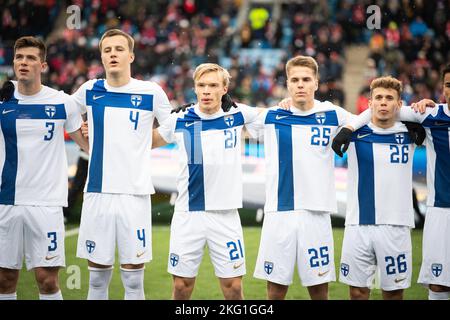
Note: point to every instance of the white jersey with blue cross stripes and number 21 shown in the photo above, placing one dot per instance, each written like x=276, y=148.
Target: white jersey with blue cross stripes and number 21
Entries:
x=210, y=157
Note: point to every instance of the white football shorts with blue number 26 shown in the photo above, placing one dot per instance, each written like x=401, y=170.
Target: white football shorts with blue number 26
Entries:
x=370, y=248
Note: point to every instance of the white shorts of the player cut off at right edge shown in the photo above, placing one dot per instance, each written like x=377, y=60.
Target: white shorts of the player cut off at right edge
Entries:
x=435, y=267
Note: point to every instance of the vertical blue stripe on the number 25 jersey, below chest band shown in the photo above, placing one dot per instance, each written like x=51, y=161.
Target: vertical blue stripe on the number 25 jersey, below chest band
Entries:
x=285, y=168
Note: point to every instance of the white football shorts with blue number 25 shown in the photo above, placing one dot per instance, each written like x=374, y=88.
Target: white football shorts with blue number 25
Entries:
x=301, y=236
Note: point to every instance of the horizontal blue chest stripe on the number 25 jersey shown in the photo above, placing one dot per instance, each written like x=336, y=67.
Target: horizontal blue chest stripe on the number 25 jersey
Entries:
x=281, y=116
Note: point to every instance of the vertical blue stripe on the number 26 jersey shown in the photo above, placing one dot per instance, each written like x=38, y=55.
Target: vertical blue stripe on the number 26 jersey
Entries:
x=366, y=182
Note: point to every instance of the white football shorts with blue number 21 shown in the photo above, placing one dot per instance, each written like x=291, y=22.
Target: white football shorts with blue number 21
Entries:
x=221, y=231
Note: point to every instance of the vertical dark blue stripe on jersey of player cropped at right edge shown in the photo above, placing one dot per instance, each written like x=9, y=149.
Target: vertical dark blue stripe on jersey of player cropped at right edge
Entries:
x=442, y=167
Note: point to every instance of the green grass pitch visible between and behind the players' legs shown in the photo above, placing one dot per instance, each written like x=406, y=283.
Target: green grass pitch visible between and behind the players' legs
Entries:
x=158, y=282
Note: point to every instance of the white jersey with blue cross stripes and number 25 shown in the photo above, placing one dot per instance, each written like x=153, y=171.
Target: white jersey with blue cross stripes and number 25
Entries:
x=299, y=158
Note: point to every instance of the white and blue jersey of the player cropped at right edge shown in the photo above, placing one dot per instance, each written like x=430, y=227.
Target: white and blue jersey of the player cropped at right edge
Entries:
x=436, y=122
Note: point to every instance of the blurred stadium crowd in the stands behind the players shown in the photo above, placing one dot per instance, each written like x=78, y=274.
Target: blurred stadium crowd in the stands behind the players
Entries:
x=173, y=36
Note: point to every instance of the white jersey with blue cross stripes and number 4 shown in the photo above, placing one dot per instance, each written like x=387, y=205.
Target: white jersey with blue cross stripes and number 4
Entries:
x=120, y=121
